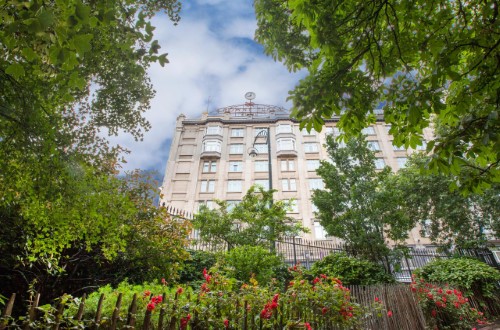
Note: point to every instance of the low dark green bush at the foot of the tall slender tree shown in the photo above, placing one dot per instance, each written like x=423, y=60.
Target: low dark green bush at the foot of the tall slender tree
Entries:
x=351, y=270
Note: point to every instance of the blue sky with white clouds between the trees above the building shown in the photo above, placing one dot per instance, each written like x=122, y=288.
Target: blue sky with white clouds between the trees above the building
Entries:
x=212, y=57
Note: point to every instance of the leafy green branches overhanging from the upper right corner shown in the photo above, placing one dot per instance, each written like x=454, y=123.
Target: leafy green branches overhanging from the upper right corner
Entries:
x=422, y=62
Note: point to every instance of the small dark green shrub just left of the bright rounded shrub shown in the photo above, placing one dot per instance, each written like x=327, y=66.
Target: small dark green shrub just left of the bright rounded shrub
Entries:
x=192, y=268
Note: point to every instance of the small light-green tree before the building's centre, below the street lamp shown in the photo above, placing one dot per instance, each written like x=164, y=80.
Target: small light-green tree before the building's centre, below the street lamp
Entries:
x=256, y=220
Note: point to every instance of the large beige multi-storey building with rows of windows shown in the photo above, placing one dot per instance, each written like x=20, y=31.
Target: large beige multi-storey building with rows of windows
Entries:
x=210, y=159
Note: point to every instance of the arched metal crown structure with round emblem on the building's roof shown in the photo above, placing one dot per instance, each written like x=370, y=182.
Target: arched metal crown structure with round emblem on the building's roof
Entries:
x=250, y=109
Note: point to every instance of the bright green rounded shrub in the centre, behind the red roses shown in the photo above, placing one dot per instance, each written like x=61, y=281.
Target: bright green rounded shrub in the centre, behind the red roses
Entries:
x=243, y=262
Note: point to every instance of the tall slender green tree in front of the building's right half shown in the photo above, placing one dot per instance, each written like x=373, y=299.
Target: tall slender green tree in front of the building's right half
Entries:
x=356, y=205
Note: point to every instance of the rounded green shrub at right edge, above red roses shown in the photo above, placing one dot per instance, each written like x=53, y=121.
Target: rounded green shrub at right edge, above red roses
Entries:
x=471, y=275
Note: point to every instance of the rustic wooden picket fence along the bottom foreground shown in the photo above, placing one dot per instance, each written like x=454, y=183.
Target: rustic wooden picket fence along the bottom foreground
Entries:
x=406, y=314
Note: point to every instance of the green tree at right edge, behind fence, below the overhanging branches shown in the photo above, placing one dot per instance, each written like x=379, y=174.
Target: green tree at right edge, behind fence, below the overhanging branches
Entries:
x=450, y=218
